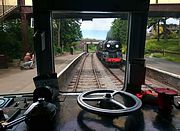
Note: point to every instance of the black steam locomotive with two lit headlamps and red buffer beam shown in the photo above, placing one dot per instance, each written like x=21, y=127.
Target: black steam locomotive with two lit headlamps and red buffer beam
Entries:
x=109, y=53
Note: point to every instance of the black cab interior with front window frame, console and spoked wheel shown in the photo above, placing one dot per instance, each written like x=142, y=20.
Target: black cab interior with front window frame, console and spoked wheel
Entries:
x=53, y=109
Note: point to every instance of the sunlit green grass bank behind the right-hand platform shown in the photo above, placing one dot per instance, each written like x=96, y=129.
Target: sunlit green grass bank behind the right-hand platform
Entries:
x=169, y=45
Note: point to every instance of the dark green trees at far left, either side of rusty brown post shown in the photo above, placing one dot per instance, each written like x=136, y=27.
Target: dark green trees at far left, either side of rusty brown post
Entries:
x=11, y=39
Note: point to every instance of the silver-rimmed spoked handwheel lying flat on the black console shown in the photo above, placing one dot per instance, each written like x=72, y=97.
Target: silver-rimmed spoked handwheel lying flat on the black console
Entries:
x=108, y=104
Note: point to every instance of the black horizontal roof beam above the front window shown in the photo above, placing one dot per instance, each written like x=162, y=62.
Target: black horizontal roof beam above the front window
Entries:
x=92, y=5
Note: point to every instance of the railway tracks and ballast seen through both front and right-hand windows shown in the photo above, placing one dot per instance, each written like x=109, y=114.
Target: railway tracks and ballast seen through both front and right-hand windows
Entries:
x=104, y=75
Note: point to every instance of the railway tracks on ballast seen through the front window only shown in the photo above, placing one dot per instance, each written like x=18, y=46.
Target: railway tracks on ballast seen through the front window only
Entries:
x=91, y=74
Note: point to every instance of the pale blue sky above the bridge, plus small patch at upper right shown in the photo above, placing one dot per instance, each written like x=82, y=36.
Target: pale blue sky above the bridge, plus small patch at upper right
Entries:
x=98, y=28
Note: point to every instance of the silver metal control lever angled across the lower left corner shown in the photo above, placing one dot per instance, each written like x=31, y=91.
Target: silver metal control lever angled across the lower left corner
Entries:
x=6, y=125
